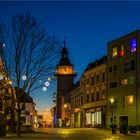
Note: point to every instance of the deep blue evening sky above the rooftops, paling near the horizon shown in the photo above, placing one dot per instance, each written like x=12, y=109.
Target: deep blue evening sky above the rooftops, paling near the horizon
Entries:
x=87, y=26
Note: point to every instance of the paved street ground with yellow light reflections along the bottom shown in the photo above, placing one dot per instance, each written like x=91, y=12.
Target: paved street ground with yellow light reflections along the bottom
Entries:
x=73, y=134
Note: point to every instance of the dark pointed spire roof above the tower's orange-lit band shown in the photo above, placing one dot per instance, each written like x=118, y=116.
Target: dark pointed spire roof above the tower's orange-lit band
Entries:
x=64, y=60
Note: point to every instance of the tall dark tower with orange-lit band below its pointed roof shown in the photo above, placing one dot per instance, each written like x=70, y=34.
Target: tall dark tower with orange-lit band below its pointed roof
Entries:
x=65, y=81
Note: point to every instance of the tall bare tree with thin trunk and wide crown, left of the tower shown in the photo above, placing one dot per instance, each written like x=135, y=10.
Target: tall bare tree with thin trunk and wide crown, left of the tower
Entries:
x=29, y=50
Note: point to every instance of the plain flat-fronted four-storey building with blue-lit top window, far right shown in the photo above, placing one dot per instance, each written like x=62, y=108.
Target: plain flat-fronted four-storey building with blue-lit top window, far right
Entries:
x=124, y=80
